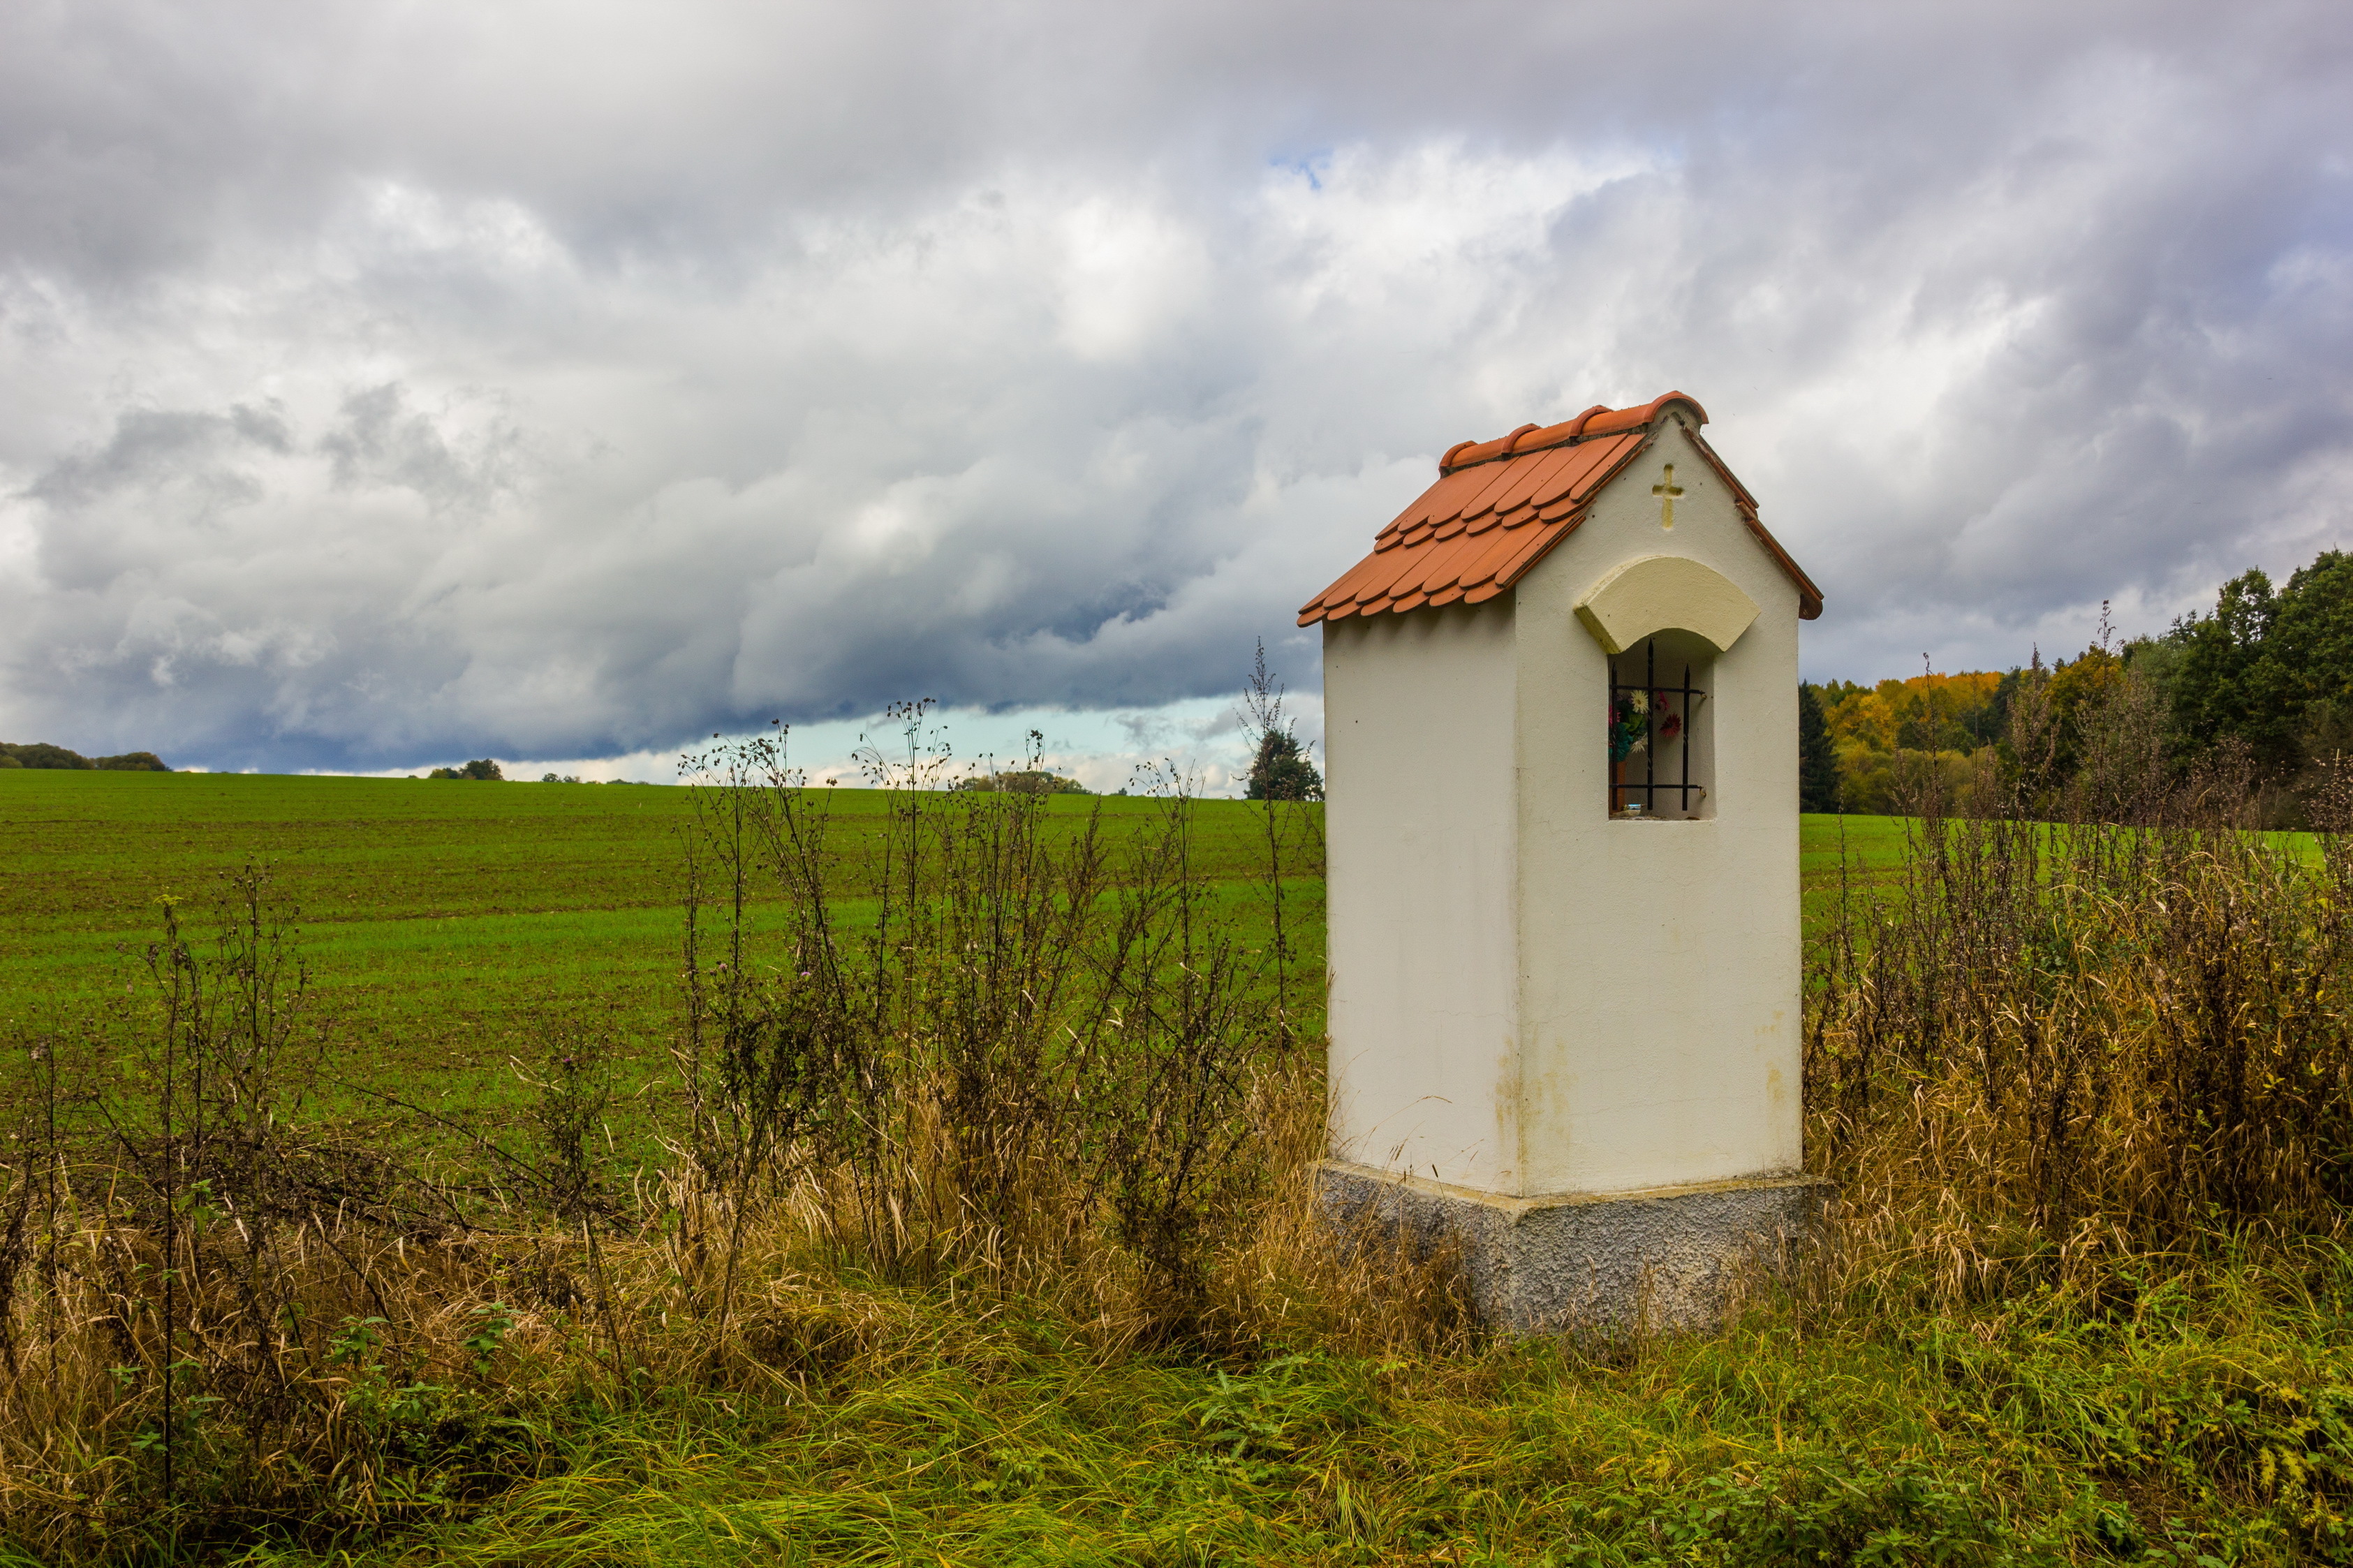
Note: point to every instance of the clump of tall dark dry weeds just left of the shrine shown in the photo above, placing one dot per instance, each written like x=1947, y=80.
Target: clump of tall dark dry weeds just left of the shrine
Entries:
x=999, y=1039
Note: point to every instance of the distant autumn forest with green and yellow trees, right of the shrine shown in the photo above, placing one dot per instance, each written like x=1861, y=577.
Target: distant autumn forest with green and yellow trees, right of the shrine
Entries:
x=2267, y=679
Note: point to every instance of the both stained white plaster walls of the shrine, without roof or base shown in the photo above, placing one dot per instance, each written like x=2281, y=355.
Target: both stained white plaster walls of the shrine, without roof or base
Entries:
x=1531, y=997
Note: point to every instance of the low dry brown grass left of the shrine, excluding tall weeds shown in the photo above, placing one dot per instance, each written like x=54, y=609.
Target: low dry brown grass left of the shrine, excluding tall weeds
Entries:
x=366, y=1357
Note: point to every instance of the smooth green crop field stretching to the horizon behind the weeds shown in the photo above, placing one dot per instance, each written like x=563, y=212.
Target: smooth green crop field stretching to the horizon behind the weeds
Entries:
x=444, y=922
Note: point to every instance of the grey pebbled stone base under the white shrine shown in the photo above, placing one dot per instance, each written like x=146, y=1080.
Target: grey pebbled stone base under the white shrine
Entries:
x=1658, y=1258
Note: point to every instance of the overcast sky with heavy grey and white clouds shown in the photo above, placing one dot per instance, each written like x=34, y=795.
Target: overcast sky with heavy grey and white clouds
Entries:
x=387, y=385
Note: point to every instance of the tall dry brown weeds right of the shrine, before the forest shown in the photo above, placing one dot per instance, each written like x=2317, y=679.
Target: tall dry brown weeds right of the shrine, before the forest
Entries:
x=2091, y=1023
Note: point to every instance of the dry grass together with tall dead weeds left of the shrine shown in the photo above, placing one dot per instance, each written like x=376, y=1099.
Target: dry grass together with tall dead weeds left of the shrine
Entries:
x=1029, y=1068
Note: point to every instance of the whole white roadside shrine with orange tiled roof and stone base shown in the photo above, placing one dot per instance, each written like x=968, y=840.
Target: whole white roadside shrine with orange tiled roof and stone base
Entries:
x=1561, y=738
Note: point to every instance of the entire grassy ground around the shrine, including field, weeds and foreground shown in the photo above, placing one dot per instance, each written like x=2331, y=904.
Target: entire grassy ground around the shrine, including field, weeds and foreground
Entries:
x=2060, y=1320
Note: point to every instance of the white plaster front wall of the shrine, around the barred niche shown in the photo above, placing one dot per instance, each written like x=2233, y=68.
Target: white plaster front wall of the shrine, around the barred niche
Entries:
x=1660, y=981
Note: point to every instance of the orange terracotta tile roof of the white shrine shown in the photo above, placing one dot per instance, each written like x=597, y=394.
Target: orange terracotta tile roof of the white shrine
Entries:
x=1502, y=505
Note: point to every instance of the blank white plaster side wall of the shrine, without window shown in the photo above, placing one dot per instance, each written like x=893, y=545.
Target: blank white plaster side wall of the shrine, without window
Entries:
x=1420, y=839
